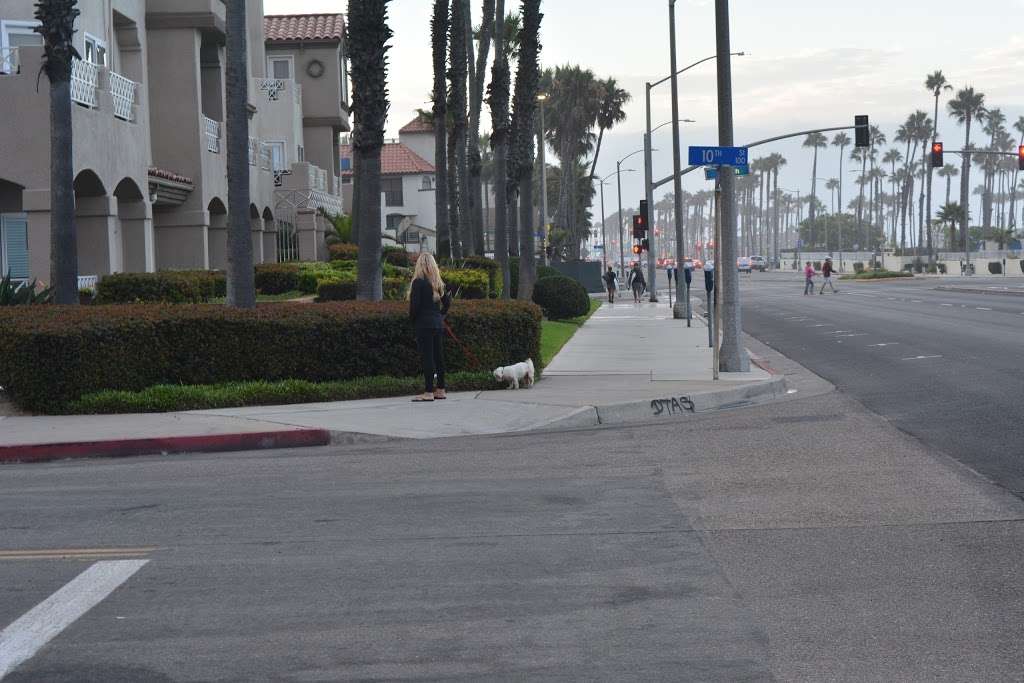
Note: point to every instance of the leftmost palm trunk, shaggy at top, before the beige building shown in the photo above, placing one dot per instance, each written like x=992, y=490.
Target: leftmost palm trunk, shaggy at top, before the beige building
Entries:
x=57, y=26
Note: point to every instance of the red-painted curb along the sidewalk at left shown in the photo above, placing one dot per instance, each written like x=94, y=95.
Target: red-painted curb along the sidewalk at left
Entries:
x=166, y=446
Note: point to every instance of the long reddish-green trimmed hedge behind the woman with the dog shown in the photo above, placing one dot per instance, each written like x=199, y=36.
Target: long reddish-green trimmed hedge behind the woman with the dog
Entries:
x=53, y=356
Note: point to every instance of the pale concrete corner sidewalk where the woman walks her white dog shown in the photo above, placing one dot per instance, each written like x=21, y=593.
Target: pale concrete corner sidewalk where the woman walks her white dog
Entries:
x=630, y=364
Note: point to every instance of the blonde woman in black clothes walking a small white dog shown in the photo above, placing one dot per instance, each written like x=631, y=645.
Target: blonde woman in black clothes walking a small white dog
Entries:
x=429, y=305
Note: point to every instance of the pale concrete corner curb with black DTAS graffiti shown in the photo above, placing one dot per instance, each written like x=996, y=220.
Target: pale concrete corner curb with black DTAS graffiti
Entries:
x=675, y=408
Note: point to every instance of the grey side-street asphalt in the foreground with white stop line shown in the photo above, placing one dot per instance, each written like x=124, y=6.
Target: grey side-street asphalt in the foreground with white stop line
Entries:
x=729, y=547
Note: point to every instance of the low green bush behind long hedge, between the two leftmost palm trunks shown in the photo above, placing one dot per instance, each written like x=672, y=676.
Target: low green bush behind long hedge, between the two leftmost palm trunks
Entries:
x=163, y=287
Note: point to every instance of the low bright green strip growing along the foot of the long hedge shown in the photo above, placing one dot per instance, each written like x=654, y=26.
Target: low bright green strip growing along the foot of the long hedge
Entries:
x=170, y=399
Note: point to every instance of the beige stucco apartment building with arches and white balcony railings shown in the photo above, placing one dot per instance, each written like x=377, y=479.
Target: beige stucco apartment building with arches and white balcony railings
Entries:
x=150, y=158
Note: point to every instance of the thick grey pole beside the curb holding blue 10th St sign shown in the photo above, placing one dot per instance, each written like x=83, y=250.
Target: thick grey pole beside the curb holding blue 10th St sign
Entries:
x=734, y=359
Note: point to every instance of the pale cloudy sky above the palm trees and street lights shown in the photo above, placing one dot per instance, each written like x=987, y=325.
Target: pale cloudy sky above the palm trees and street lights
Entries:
x=812, y=64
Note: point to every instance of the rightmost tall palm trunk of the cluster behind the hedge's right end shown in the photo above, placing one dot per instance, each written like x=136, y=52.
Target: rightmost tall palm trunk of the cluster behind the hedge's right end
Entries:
x=528, y=82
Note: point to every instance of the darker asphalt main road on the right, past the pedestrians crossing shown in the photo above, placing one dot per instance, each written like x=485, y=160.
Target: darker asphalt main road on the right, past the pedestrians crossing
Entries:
x=947, y=368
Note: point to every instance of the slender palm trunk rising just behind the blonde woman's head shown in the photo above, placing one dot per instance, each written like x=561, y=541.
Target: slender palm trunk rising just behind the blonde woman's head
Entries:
x=439, y=35
